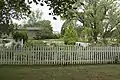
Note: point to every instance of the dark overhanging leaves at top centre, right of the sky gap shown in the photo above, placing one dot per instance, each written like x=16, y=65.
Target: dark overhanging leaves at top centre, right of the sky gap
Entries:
x=59, y=6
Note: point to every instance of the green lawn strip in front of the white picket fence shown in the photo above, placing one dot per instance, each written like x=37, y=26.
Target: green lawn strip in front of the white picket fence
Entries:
x=85, y=72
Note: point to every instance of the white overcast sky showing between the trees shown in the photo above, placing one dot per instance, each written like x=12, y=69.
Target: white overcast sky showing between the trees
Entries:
x=56, y=24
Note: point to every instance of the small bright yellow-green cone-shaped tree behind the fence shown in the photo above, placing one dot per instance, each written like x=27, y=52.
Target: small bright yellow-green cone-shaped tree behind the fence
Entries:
x=70, y=36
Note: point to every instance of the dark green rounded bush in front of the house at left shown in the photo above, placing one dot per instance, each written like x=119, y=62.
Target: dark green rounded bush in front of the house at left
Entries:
x=20, y=35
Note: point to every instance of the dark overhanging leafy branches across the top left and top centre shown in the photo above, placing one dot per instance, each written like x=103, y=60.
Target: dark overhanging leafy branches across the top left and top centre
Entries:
x=17, y=8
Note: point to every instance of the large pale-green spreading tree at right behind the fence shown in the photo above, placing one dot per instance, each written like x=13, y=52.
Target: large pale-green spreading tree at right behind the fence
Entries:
x=102, y=17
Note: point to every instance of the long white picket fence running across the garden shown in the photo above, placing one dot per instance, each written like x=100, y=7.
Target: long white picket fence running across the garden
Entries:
x=59, y=55
